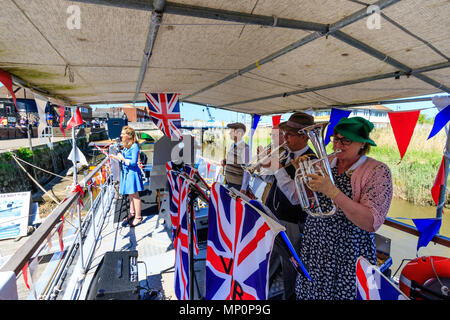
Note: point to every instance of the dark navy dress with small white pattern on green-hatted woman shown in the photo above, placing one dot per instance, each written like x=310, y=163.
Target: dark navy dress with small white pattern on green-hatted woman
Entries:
x=330, y=248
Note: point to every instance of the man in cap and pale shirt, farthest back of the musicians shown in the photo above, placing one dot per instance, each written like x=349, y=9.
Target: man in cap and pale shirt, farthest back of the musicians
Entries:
x=237, y=156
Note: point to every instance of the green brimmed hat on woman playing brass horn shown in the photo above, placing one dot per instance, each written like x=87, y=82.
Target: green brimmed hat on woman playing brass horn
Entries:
x=356, y=129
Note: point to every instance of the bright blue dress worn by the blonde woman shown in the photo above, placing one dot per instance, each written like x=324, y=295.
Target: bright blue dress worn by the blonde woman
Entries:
x=131, y=176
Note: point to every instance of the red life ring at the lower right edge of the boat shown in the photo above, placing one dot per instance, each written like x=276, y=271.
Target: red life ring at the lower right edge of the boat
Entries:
x=420, y=270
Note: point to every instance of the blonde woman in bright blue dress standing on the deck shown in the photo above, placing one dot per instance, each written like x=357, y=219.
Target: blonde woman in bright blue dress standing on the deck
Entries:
x=130, y=177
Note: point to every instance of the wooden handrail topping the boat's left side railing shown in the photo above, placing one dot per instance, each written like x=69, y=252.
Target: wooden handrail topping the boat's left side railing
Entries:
x=26, y=251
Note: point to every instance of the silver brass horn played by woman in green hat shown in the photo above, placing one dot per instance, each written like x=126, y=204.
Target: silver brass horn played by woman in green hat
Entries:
x=308, y=198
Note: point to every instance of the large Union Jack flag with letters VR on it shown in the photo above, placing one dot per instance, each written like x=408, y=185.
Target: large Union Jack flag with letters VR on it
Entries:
x=238, y=250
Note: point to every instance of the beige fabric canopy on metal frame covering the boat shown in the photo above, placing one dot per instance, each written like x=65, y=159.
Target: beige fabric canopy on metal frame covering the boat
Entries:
x=254, y=56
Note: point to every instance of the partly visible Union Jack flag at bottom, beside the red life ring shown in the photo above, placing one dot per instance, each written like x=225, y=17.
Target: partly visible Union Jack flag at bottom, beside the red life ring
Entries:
x=371, y=284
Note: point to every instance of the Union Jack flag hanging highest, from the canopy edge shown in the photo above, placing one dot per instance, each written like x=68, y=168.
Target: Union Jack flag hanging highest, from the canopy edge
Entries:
x=165, y=112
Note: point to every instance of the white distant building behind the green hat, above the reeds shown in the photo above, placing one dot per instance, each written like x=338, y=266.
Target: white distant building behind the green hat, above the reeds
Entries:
x=377, y=114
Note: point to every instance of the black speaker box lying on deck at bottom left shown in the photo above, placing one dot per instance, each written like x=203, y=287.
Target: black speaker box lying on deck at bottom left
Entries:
x=116, y=278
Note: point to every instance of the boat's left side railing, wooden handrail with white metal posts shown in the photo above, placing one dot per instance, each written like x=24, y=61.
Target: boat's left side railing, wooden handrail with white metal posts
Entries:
x=23, y=255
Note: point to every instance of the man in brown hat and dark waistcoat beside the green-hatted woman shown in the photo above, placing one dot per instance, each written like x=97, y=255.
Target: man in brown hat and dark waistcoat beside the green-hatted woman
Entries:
x=282, y=199
